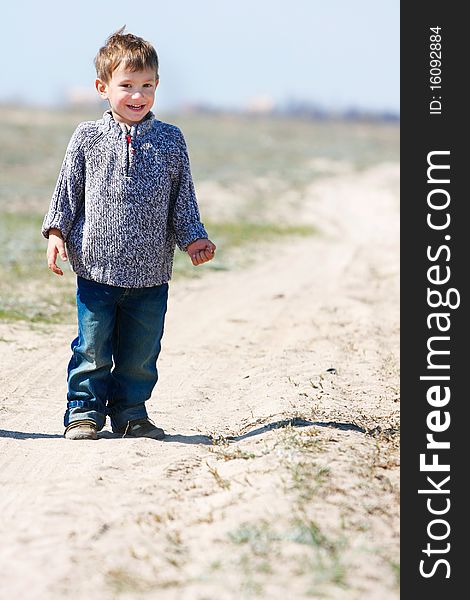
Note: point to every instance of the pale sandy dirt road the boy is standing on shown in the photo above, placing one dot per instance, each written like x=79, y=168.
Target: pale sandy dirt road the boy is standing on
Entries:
x=279, y=393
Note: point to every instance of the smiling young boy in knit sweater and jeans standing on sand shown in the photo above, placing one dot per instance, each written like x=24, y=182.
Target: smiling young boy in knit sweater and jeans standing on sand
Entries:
x=123, y=199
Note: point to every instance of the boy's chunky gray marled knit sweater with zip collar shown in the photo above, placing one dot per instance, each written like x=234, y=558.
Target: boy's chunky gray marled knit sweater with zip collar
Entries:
x=124, y=200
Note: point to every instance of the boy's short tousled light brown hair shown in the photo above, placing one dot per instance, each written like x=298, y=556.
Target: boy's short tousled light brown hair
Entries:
x=120, y=47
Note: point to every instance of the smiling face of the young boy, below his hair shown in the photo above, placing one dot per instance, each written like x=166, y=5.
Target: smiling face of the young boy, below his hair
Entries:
x=130, y=94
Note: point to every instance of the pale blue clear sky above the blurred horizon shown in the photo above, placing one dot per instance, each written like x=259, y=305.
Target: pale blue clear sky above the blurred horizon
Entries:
x=338, y=54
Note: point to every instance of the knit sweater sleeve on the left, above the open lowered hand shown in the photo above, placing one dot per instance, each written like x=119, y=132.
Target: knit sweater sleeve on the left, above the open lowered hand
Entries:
x=68, y=196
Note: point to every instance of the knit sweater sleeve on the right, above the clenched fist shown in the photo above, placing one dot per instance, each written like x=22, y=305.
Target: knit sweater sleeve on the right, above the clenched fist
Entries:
x=186, y=219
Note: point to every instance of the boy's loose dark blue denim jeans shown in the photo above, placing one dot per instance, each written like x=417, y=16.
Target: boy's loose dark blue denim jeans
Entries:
x=113, y=367
